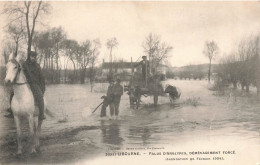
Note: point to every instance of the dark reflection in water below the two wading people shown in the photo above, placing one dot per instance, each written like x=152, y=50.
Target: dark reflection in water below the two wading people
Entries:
x=111, y=132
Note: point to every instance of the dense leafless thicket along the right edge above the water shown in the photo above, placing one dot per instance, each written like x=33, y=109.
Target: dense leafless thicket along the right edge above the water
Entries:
x=242, y=67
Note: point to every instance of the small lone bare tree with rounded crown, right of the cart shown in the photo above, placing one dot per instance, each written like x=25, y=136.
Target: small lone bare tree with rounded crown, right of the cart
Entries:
x=210, y=50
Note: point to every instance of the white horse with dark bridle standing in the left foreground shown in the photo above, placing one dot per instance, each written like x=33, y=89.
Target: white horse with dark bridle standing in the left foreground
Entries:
x=22, y=103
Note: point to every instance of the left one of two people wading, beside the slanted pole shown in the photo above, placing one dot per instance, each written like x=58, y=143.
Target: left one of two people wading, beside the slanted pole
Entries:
x=108, y=99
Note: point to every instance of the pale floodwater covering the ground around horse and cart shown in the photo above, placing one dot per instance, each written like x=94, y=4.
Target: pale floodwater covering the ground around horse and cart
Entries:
x=200, y=120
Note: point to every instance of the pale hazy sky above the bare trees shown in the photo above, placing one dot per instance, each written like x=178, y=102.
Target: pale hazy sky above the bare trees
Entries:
x=183, y=25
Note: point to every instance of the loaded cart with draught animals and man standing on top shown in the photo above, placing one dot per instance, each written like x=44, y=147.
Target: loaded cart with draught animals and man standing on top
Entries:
x=146, y=84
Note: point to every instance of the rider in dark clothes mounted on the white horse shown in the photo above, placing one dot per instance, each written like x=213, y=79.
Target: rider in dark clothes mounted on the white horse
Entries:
x=36, y=80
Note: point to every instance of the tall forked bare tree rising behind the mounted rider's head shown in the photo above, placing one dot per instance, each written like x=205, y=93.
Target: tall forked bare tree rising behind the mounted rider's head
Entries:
x=28, y=11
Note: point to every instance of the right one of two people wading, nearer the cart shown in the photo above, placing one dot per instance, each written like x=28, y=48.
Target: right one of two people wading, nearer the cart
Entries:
x=118, y=92
